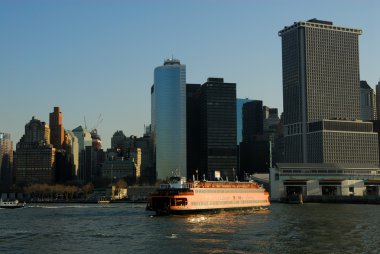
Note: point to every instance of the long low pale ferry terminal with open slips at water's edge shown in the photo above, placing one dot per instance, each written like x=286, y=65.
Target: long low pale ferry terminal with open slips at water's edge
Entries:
x=317, y=181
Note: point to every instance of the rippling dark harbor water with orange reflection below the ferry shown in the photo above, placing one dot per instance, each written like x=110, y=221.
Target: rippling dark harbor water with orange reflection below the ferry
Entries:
x=128, y=228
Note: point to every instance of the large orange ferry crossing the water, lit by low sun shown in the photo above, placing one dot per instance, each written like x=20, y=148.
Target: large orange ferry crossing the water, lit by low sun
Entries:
x=181, y=197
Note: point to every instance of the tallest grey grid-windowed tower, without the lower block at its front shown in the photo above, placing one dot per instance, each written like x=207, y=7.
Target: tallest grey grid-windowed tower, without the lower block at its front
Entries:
x=320, y=64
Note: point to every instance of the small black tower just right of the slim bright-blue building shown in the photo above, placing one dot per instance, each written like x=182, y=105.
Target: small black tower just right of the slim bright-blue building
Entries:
x=252, y=120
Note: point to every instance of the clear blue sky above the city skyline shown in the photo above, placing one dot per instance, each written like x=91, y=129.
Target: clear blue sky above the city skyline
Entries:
x=96, y=58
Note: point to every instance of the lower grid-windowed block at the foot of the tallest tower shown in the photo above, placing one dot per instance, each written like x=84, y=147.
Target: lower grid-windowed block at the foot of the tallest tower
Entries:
x=342, y=141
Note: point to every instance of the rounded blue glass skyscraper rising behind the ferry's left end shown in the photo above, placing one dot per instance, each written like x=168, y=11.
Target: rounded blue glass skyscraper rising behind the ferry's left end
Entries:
x=168, y=116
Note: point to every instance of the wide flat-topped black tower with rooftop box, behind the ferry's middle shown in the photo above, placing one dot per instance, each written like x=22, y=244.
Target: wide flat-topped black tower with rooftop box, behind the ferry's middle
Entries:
x=218, y=128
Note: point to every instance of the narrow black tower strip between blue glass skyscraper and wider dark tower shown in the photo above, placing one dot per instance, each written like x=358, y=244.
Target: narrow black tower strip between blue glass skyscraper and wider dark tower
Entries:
x=193, y=129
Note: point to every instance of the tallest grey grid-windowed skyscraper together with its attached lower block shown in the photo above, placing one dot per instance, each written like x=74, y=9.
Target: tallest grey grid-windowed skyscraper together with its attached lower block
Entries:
x=321, y=81
